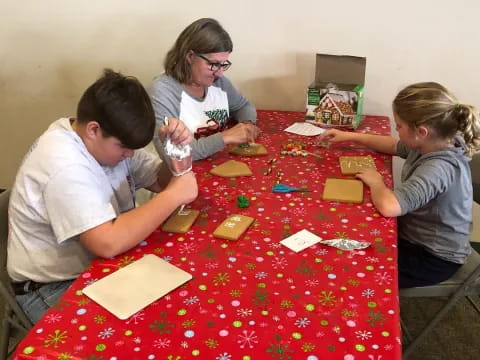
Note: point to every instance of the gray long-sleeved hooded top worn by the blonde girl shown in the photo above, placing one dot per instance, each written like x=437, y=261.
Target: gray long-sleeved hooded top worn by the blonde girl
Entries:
x=436, y=201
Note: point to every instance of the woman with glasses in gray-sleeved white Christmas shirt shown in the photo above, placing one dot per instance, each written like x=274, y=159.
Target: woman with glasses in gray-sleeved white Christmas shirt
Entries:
x=194, y=90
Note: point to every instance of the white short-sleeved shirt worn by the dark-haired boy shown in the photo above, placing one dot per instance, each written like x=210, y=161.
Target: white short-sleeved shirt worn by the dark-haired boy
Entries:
x=60, y=192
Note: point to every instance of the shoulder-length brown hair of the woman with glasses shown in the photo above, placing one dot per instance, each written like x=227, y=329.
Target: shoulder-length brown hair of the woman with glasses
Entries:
x=203, y=36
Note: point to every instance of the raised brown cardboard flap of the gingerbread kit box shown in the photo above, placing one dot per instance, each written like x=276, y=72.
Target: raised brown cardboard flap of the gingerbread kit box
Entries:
x=340, y=69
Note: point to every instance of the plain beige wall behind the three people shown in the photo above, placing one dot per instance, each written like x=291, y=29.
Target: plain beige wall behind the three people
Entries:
x=51, y=50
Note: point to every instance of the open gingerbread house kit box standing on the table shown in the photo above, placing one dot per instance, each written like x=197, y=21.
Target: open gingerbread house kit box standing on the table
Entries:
x=335, y=98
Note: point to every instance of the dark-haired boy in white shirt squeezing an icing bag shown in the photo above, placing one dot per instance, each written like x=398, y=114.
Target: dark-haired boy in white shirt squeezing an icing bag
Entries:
x=74, y=194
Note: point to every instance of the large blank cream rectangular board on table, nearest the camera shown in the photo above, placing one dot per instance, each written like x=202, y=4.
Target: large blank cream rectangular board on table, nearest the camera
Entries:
x=135, y=286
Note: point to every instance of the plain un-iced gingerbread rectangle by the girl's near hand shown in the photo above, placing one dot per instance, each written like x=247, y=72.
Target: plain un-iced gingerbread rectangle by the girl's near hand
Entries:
x=343, y=190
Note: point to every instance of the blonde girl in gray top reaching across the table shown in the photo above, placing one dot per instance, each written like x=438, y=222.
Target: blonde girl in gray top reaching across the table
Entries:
x=437, y=134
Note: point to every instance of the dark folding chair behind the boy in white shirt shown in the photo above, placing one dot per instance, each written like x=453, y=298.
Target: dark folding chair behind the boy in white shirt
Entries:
x=14, y=317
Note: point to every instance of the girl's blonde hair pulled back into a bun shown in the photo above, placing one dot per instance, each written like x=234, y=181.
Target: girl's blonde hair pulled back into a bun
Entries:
x=432, y=105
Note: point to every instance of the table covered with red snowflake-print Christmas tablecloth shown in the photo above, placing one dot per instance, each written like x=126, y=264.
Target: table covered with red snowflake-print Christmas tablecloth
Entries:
x=253, y=298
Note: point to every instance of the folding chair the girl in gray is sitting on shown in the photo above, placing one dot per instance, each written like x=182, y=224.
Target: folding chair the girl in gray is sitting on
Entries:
x=464, y=283
